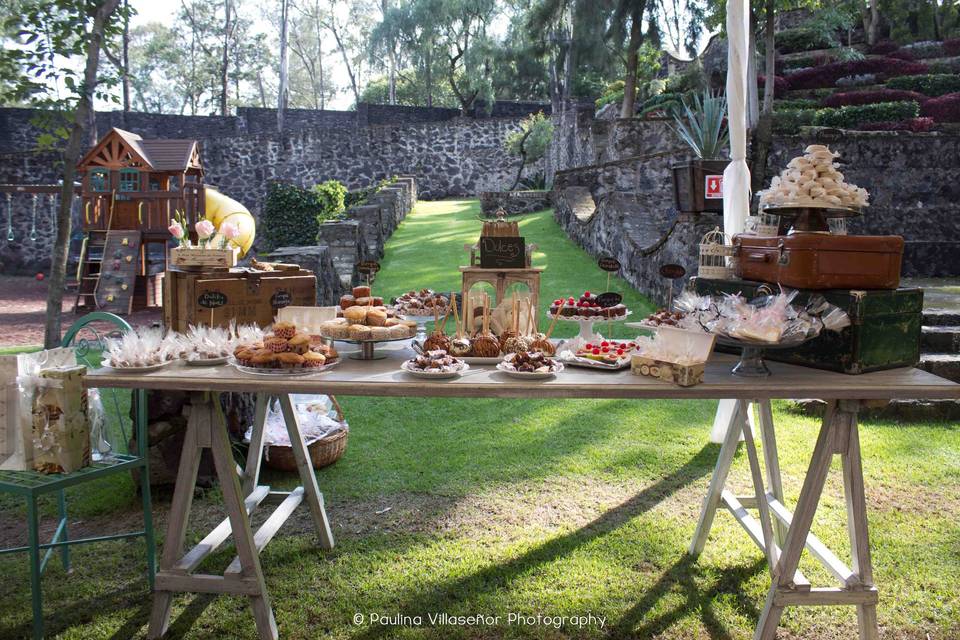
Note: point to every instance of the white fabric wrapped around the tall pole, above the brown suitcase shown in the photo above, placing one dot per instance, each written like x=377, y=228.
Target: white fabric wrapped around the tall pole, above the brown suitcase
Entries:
x=736, y=177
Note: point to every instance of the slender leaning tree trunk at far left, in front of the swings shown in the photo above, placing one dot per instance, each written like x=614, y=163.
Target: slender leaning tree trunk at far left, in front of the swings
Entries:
x=71, y=154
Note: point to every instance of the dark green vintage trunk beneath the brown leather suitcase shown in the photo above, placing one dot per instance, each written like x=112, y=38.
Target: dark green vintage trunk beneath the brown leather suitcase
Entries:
x=884, y=334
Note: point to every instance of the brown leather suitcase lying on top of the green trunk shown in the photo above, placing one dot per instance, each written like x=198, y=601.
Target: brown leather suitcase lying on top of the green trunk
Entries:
x=820, y=261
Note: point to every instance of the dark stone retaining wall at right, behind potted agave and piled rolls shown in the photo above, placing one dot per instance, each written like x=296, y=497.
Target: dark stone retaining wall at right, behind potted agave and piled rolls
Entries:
x=613, y=193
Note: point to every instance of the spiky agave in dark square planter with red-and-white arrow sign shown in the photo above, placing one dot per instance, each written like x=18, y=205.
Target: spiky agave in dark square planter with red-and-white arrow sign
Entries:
x=701, y=124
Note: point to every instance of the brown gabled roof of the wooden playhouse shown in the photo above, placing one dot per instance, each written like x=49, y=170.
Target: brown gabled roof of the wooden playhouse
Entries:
x=157, y=154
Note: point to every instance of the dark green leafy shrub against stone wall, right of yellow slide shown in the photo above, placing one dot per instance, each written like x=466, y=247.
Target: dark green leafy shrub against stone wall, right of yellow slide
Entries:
x=291, y=214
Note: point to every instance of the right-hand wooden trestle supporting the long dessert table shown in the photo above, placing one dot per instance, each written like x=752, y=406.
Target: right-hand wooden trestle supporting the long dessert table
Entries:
x=838, y=436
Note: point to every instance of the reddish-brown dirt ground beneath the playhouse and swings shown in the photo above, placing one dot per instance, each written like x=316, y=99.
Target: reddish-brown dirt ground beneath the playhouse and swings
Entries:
x=23, y=302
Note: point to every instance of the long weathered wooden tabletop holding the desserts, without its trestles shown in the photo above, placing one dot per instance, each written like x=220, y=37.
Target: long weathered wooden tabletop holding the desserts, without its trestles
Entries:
x=384, y=378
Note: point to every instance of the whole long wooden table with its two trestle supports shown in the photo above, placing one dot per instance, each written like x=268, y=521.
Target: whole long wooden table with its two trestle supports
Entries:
x=781, y=534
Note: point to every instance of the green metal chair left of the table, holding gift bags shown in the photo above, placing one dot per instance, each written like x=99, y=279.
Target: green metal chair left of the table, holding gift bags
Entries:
x=88, y=341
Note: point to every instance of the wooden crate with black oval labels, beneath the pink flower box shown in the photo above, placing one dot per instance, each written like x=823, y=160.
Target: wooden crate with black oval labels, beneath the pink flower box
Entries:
x=214, y=299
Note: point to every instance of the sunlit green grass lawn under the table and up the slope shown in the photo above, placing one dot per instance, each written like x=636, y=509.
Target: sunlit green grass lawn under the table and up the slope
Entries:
x=558, y=508
